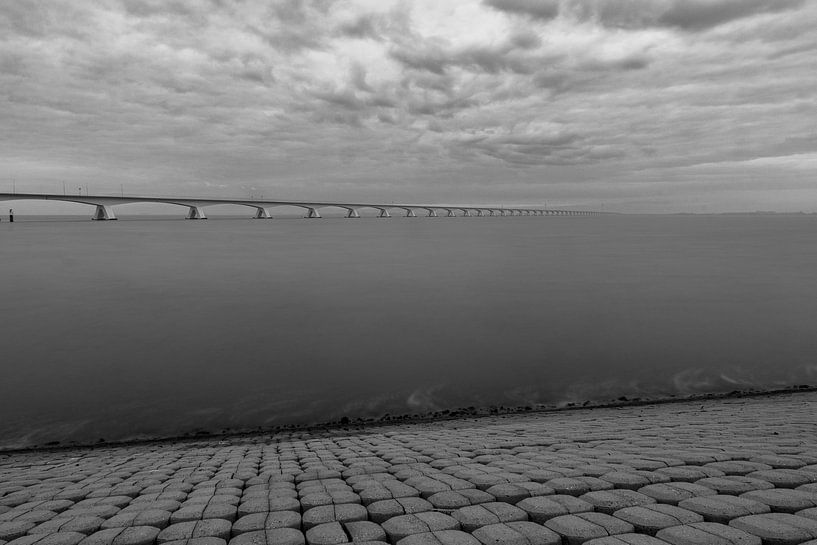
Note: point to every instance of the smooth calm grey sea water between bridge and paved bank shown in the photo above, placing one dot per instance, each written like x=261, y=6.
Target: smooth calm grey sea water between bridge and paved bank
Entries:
x=141, y=328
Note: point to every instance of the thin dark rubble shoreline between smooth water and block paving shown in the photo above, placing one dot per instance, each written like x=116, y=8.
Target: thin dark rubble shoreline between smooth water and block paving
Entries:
x=362, y=425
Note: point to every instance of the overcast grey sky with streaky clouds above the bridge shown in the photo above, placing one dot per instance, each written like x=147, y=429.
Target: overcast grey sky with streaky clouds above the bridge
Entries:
x=620, y=105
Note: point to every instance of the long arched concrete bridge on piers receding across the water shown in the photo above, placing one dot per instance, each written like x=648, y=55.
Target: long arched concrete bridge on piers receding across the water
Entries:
x=195, y=206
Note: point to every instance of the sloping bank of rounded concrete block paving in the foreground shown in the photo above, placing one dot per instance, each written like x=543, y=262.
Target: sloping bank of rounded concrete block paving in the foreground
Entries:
x=717, y=472
